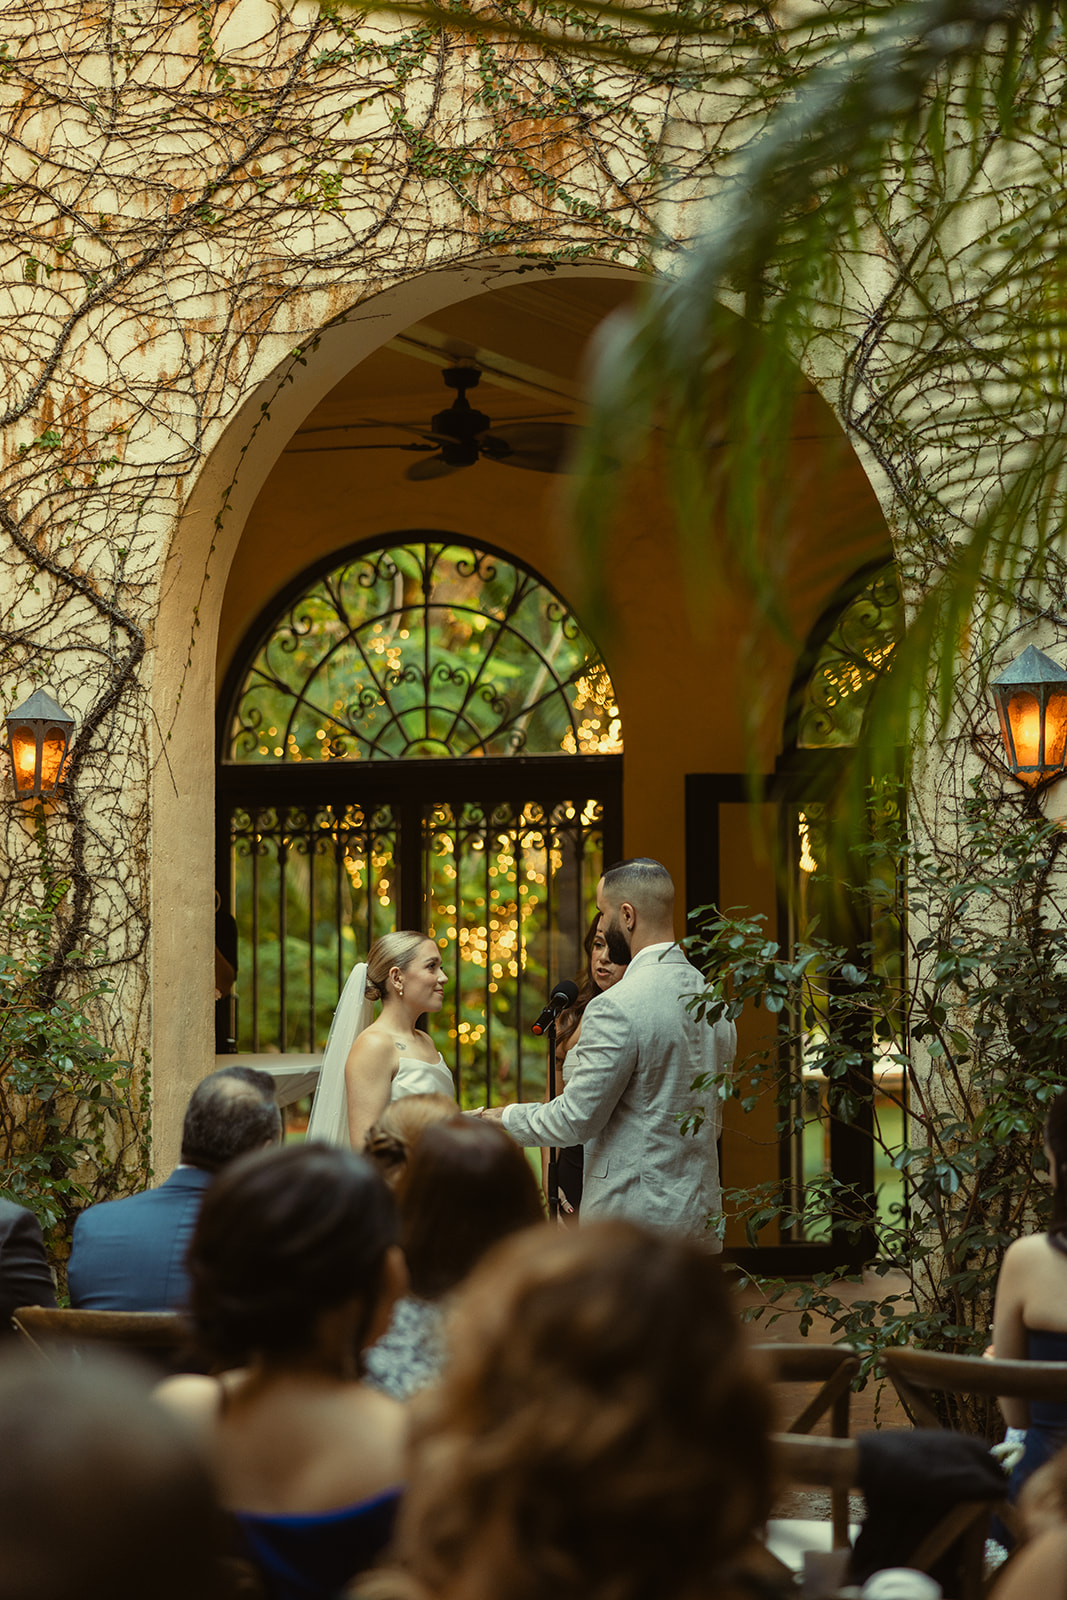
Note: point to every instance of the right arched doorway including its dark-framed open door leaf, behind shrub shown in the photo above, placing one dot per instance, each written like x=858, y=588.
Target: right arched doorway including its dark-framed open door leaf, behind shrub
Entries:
x=793, y=1142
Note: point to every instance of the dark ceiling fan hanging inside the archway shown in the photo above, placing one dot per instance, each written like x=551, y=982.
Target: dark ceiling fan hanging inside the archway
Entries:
x=460, y=436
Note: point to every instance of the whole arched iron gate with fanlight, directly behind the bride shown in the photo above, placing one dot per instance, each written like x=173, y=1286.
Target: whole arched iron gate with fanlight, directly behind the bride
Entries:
x=417, y=734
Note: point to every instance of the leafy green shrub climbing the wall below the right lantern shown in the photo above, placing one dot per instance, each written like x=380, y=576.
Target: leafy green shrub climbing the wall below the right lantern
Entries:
x=975, y=1018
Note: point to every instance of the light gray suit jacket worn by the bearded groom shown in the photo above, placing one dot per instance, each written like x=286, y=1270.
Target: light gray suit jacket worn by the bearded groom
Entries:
x=629, y=1082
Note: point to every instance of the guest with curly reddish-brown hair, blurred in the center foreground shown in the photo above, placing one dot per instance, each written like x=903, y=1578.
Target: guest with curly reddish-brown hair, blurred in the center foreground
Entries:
x=601, y=1431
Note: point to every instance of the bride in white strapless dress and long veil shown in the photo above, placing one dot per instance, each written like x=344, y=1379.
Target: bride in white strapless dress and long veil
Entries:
x=369, y=1063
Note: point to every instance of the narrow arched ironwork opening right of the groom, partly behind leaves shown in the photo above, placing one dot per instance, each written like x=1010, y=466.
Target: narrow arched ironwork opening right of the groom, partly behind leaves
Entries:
x=849, y=652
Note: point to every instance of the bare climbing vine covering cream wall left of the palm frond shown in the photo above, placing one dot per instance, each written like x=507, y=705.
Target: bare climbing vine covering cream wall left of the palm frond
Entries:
x=188, y=193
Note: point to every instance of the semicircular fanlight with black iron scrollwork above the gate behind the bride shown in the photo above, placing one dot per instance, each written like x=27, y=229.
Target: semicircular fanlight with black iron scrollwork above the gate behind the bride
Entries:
x=425, y=649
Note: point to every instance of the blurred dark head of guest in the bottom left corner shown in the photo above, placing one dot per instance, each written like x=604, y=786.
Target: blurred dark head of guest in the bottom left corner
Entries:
x=102, y=1494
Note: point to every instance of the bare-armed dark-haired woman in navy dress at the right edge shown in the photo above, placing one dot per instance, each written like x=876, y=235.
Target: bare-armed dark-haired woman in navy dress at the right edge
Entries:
x=1031, y=1308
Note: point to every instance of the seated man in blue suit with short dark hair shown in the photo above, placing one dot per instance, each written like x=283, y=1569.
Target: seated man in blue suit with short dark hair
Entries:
x=130, y=1255
